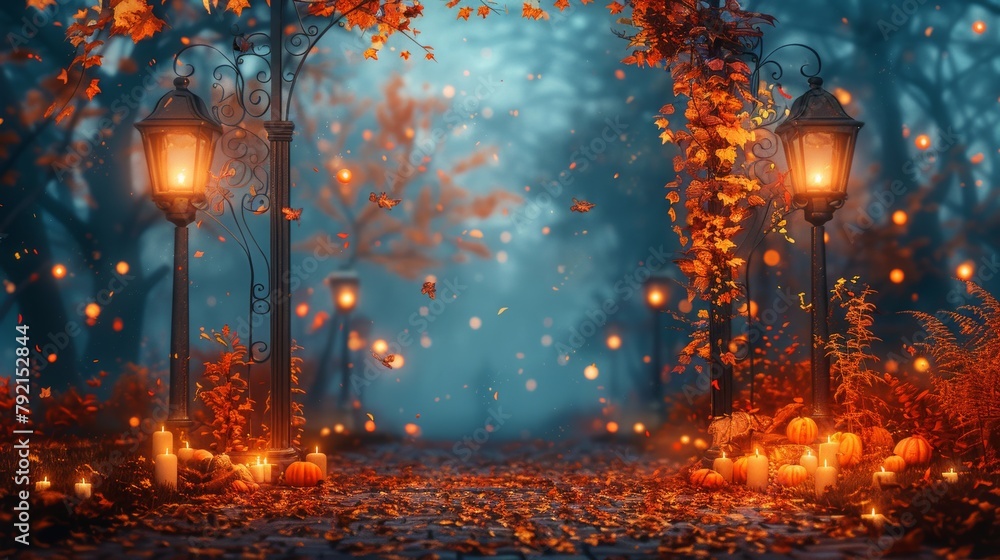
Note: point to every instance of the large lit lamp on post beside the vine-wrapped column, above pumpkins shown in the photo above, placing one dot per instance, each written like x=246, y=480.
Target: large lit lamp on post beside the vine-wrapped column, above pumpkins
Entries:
x=818, y=137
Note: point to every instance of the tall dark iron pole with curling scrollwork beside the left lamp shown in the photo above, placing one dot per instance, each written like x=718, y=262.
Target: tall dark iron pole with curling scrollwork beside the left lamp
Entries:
x=252, y=82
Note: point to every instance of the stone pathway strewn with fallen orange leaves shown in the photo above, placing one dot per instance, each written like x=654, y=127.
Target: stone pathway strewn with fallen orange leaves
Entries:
x=396, y=501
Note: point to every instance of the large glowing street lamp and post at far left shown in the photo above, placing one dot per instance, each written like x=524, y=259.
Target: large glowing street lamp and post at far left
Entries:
x=179, y=140
